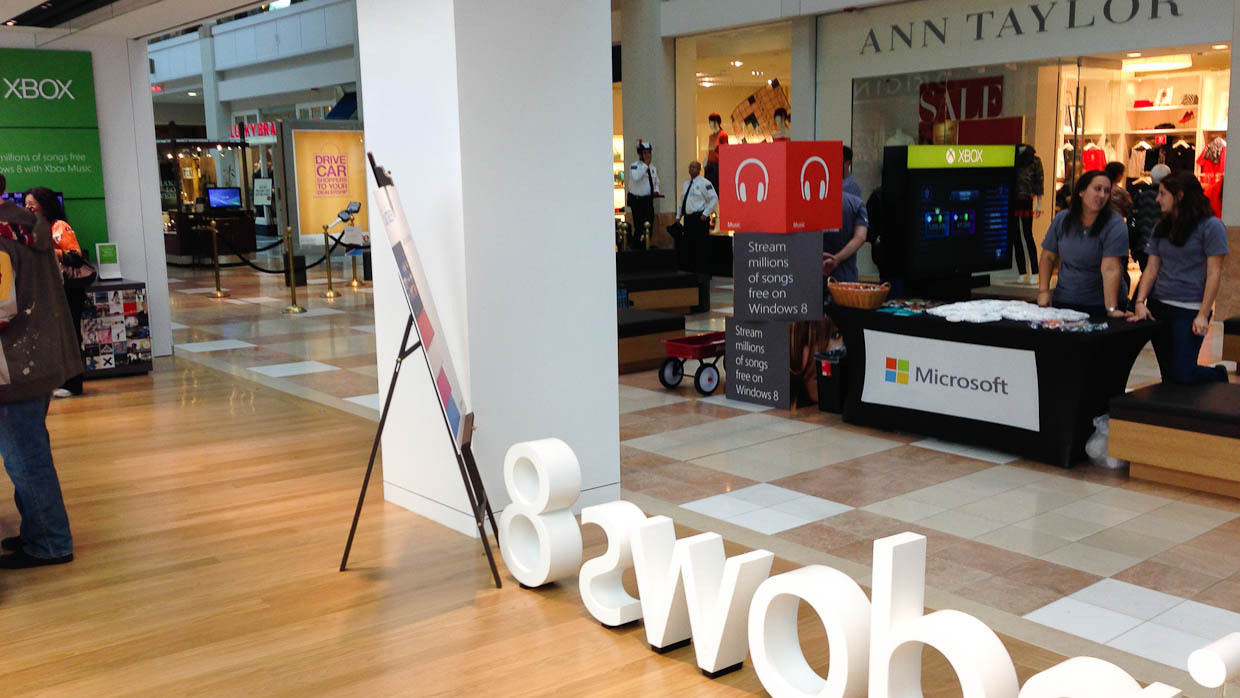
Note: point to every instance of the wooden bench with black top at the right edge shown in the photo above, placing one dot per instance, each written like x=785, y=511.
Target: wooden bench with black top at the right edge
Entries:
x=1184, y=436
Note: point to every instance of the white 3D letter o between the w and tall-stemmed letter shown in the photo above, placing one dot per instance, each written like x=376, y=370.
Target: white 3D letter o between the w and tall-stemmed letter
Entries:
x=776, y=645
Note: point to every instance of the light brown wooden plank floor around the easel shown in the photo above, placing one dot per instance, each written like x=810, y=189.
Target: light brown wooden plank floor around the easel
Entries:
x=210, y=514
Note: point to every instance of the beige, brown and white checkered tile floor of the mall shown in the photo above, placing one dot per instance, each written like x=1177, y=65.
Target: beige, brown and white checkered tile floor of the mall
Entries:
x=1141, y=568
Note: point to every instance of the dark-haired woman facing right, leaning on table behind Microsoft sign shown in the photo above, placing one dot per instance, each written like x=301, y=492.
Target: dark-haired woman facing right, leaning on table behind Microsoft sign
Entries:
x=1089, y=244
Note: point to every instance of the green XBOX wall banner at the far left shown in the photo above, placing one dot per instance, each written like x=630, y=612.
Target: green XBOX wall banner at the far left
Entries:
x=50, y=133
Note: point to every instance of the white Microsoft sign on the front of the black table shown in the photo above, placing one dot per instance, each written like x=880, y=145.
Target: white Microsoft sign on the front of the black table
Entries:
x=976, y=382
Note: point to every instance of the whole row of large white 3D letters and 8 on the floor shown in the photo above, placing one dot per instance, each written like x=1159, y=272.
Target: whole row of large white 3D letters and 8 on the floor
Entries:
x=732, y=608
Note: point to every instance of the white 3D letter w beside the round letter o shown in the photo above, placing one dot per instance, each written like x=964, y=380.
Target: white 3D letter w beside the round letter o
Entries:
x=689, y=588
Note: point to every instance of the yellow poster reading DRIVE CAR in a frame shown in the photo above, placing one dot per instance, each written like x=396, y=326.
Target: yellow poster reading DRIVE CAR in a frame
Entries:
x=330, y=174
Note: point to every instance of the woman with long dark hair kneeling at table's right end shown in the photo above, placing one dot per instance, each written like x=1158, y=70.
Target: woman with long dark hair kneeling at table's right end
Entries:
x=1182, y=280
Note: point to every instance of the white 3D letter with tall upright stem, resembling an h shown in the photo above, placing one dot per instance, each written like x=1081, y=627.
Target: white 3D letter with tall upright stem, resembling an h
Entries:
x=898, y=630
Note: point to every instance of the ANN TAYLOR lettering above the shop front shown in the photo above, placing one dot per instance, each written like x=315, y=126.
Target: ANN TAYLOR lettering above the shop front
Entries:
x=1020, y=20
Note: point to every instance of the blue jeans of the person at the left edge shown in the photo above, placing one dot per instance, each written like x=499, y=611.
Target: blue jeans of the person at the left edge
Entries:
x=27, y=451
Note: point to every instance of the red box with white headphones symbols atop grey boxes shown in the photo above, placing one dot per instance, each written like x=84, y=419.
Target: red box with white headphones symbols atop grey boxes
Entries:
x=781, y=188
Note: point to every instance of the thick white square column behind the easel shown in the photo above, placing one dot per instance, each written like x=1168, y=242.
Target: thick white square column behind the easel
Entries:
x=513, y=226
